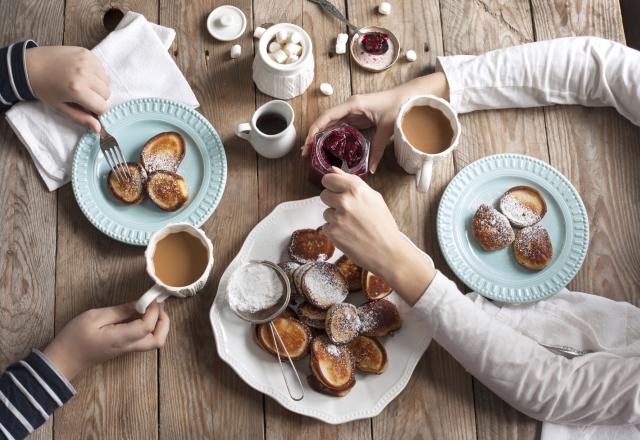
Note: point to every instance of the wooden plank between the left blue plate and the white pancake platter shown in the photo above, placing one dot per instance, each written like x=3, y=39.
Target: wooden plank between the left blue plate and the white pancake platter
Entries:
x=200, y=396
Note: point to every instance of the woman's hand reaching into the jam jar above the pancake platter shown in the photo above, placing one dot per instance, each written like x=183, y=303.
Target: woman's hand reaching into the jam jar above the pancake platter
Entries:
x=361, y=225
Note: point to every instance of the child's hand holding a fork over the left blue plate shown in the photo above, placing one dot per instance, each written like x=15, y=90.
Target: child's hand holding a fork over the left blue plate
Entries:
x=71, y=80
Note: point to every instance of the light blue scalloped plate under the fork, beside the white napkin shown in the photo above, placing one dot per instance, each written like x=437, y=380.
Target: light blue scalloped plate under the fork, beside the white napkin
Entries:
x=132, y=123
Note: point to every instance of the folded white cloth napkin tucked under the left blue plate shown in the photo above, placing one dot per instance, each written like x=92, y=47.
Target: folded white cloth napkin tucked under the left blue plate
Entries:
x=136, y=60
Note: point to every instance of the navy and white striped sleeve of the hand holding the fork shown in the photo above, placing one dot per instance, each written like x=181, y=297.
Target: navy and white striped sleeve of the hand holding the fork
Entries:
x=14, y=79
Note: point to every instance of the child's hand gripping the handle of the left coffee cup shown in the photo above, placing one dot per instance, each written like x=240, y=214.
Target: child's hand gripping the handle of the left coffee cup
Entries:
x=98, y=335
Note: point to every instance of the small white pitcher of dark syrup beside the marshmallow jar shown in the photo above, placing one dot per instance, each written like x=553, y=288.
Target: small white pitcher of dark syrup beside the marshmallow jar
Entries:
x=271, y=146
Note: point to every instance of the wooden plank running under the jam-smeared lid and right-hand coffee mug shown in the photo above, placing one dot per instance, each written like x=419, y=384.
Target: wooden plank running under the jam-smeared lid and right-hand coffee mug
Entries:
x=425, y=409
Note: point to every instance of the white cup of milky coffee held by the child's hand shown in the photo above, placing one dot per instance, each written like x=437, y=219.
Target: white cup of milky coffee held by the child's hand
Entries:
x=161, y=291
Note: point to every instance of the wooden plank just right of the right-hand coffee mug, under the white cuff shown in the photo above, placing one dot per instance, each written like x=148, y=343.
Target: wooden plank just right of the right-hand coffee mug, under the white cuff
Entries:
x=472, y=27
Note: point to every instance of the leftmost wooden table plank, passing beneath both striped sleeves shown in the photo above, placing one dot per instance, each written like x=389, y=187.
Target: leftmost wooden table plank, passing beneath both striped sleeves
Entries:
x=27, y=212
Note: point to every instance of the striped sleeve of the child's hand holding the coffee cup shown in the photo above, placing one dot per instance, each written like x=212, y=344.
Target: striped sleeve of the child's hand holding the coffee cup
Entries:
x=30, y=390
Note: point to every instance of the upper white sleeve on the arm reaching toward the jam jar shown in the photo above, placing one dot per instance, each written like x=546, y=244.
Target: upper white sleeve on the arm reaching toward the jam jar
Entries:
x=589, y=71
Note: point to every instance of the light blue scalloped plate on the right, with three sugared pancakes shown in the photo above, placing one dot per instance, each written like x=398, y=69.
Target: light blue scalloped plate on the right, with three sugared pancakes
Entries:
x=497, y=275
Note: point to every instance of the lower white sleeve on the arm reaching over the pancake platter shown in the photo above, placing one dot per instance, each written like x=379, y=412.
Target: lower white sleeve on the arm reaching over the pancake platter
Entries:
x=598, y=388
